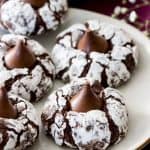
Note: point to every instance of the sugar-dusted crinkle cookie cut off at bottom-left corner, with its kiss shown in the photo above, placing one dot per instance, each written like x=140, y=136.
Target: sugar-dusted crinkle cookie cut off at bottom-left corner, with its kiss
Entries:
x=18, y=122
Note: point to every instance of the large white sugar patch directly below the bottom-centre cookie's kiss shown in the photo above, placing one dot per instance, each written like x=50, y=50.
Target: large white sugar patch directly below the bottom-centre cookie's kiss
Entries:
x=89, y=128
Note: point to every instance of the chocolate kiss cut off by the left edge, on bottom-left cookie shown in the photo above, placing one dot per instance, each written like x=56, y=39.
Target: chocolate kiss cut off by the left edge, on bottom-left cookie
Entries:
x=6, y=108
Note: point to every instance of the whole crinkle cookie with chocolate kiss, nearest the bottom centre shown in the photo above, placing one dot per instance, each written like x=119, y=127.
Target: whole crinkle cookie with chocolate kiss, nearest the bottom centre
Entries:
x=85, y=116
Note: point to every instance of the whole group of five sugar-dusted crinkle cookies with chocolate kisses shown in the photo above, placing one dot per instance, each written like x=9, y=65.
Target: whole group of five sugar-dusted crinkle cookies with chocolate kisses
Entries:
x=91, y=58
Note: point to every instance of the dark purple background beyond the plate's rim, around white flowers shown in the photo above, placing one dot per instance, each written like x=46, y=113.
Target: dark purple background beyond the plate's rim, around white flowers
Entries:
x=141, y=7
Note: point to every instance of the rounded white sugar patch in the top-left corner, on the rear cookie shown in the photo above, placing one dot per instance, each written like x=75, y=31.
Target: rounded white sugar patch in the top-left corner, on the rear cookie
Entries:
x=19, y=21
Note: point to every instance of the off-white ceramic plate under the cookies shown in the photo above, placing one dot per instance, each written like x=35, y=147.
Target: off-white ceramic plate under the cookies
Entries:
x=136, y=91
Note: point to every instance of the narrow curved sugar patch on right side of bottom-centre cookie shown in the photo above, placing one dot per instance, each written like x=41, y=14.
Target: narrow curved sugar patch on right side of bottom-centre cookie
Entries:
x=117, y=112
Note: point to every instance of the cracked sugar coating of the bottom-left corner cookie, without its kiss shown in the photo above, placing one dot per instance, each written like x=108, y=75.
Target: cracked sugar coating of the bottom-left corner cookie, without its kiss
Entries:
x=21, y=132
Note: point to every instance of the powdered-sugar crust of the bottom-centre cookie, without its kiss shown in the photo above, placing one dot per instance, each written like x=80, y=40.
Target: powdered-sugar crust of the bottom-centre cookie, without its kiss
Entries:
x=83, y=130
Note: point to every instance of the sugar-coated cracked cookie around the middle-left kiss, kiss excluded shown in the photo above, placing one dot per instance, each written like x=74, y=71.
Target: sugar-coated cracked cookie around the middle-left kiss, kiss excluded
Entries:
x=31, y=84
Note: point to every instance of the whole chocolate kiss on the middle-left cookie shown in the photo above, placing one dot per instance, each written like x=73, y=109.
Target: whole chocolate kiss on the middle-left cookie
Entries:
x=19, y=57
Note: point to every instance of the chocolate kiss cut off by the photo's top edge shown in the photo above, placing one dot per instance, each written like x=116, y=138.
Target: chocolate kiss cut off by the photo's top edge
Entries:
x=36, y=3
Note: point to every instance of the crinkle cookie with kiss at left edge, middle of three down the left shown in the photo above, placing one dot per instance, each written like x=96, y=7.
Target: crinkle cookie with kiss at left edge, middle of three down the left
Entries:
x=26, y=68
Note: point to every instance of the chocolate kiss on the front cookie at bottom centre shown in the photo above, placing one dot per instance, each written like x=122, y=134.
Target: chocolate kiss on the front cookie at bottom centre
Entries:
x=85, y=100
